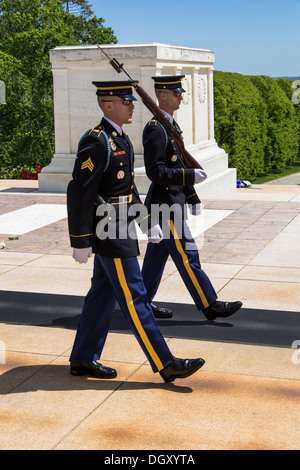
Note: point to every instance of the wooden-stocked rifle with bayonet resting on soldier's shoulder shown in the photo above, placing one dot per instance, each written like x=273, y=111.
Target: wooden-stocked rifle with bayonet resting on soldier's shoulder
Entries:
x=174, y=133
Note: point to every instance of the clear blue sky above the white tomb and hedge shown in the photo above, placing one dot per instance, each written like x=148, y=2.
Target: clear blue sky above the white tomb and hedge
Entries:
x=255, y=37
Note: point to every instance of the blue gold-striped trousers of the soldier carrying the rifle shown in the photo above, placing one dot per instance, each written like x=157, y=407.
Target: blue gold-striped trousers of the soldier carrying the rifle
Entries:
x=180, y=245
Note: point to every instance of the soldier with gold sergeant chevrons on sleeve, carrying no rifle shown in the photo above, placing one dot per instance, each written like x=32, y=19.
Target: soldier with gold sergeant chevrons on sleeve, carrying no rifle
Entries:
x=104, y=168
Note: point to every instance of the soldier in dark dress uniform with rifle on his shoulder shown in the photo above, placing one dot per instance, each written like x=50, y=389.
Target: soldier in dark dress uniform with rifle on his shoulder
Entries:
x=172, y=184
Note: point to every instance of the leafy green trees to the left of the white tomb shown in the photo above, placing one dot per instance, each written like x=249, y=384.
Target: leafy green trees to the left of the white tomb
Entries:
x=28, y=30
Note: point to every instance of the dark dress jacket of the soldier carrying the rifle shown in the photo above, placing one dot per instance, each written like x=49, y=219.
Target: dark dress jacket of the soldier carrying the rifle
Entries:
x=171, y=182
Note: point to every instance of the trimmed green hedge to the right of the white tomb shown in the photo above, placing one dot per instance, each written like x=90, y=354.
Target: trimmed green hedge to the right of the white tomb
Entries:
x=256, y=122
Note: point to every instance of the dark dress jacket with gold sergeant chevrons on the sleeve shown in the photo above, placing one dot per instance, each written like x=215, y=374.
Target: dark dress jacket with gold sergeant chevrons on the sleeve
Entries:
x=95, y=172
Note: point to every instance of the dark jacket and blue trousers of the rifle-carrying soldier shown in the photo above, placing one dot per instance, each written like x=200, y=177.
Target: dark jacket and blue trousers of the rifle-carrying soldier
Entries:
x=172, y=183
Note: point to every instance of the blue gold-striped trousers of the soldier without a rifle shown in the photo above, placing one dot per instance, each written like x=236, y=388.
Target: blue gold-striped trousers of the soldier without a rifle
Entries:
x=118, y=279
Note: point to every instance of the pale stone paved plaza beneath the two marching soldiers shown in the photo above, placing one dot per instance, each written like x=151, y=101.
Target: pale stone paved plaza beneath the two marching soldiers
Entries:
x=245, y=397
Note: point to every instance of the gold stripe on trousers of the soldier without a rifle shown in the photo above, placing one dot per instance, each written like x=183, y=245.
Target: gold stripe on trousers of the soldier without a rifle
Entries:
x=134, y=315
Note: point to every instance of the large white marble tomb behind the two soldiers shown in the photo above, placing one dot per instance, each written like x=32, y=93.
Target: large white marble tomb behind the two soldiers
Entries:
x=76, y=109
